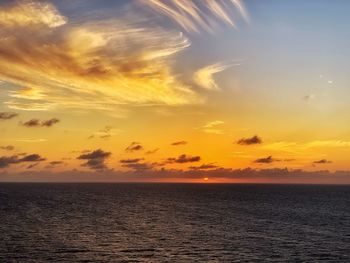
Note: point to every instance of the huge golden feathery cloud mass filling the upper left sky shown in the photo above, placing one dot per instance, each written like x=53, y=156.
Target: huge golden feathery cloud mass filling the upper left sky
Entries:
x=98, y=65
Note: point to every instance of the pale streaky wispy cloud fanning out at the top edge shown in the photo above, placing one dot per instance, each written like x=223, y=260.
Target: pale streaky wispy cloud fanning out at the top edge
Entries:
x=195, y=15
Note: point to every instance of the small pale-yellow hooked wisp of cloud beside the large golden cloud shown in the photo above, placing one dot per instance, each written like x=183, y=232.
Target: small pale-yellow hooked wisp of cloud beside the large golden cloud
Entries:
x=204, y=77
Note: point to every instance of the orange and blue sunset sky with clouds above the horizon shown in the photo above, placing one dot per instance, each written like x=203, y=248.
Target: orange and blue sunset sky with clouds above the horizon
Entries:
x=175, y=91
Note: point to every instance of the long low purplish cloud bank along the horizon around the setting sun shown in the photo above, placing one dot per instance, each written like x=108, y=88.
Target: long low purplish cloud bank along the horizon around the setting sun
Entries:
x=142, y=173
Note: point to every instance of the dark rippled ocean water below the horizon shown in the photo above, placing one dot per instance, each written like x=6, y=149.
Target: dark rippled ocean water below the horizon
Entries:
x=174, y=223
